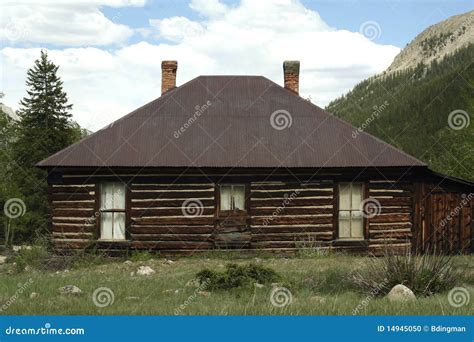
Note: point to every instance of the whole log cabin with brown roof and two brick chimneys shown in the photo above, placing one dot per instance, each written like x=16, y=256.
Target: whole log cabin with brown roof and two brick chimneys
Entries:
x=239, y=162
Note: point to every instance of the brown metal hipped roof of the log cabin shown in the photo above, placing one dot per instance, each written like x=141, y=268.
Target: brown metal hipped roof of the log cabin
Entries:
x=234, y=131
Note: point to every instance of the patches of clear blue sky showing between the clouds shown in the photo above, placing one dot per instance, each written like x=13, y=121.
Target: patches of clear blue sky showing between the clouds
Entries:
x=400, y=20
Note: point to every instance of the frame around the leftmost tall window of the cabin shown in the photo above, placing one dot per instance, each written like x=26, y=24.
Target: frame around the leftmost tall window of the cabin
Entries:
x=125, y=211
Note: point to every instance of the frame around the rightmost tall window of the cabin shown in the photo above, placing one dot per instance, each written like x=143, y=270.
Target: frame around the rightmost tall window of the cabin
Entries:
x=337, y=210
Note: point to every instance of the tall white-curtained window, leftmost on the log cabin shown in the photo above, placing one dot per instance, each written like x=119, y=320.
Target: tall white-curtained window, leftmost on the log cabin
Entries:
x=112, y=209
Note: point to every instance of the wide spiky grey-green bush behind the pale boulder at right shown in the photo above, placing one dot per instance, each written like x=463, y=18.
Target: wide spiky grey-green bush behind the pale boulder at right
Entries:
x=424, y=274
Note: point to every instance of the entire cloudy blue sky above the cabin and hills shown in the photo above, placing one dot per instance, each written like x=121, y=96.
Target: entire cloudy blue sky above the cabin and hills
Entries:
x=110, y=51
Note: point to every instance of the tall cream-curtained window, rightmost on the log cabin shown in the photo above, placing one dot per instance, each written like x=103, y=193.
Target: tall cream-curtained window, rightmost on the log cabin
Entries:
x=351, y=221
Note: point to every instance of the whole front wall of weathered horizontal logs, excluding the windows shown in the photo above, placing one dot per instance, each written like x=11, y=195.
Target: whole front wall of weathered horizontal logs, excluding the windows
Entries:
x=283, y=215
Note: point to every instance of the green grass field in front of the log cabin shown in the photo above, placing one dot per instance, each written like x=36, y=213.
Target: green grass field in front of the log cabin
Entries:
x=319, y=286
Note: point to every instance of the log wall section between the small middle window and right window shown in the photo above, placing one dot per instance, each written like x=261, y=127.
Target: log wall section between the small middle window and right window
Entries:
x=291, y=215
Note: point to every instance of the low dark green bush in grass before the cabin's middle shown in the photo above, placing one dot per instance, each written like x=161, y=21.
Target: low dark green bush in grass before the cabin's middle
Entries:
x=237, y=276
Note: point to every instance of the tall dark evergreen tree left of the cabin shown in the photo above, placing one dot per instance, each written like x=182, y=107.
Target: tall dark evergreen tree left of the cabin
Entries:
x=45, y=127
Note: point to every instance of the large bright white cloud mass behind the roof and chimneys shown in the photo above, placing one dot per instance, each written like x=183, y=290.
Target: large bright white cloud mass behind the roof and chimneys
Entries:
x=253, y=37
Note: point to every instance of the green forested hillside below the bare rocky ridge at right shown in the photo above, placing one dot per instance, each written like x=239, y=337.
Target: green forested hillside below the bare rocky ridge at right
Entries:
x=411, y=109
